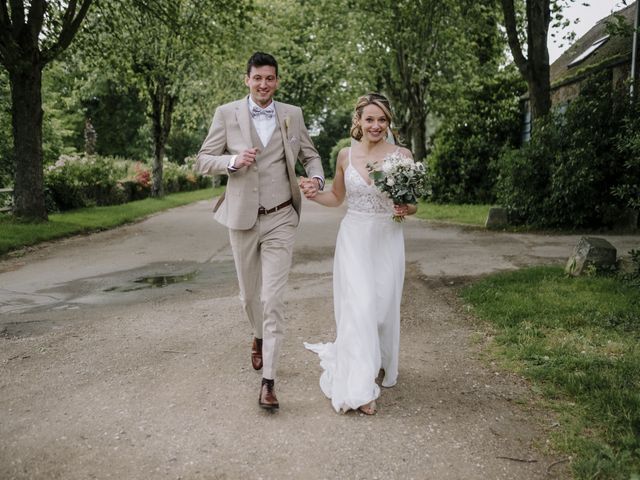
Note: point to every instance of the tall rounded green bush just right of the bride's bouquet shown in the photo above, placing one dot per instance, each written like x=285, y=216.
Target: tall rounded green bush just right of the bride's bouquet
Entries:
x=468, y=144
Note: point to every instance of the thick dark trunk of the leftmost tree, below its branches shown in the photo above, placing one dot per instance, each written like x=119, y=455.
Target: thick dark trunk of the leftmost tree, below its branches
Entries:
x=26, y=111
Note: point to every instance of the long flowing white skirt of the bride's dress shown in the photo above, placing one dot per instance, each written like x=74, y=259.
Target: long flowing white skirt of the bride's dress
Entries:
x=368, y=276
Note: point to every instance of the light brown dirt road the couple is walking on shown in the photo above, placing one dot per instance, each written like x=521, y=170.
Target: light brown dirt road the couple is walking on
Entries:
x=125, y=355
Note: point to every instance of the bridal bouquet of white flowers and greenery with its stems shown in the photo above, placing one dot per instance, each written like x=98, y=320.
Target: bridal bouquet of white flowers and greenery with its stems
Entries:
x=402, y=179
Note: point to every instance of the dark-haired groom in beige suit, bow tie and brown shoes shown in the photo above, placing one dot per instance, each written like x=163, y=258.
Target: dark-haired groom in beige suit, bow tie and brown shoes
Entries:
x=256, y=141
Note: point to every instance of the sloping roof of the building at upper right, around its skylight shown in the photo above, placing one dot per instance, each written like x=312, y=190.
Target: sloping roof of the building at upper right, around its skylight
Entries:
x=616, y=49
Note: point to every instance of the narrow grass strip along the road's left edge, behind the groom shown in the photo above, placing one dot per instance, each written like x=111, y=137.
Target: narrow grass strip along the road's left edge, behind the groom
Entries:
x=14, y=234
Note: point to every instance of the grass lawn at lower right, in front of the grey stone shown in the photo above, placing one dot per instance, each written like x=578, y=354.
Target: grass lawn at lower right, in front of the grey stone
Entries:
x=578, y=341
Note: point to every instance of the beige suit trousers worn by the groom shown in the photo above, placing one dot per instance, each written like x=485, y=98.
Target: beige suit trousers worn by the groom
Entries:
x=262, y=257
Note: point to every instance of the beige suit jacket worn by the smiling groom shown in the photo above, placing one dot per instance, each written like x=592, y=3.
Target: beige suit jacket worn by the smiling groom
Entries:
x=229, y=135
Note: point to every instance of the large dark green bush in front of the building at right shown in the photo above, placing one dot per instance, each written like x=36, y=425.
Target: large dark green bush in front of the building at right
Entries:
x=566, y=176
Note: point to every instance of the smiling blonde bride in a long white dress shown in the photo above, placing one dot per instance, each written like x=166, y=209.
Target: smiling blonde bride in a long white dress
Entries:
x=368, y=269
